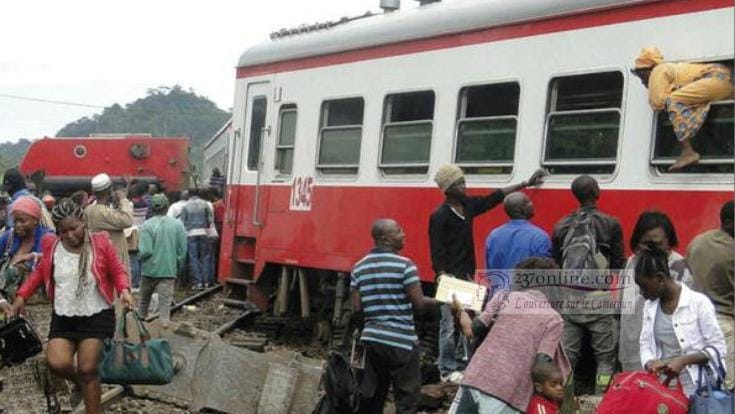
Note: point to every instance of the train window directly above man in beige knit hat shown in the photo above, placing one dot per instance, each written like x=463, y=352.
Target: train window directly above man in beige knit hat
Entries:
x=486, y=129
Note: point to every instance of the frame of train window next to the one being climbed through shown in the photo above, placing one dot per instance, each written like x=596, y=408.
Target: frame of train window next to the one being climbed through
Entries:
x=552, y=96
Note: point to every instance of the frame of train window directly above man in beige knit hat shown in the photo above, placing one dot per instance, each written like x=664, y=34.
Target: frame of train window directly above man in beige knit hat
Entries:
x=461, y=111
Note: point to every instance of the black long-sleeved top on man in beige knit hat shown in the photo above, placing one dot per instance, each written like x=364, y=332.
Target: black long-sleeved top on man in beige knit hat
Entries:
x=451, y=236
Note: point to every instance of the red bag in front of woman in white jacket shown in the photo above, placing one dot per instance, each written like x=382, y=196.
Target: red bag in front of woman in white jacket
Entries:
x=642, y=393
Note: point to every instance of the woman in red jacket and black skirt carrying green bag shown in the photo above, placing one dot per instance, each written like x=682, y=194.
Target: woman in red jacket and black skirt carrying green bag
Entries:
x=81, y=273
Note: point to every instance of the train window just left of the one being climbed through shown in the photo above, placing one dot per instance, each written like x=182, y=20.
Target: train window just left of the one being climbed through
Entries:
x=583, y=123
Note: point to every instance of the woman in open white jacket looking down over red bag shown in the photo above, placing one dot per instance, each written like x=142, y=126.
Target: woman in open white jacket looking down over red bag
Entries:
x=679, y=325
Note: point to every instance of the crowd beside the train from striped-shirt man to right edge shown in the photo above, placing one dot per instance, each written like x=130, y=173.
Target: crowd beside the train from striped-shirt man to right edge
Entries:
x=506, y=361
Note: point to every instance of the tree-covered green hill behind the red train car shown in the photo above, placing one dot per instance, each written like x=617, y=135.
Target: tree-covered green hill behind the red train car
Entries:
x=165, y=111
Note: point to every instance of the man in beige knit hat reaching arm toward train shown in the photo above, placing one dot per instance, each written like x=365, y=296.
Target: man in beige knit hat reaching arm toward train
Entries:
x=453, y=249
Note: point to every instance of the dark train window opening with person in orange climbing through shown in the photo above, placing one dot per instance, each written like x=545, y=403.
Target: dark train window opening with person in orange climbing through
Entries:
x=714, y=141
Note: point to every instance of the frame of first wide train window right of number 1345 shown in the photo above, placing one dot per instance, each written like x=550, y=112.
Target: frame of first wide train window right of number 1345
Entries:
x=332, y=170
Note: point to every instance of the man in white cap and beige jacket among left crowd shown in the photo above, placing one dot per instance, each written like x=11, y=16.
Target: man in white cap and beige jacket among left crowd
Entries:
x=112, y=213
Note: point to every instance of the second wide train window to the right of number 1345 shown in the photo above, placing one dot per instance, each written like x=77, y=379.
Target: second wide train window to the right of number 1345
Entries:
x=407, y=126
